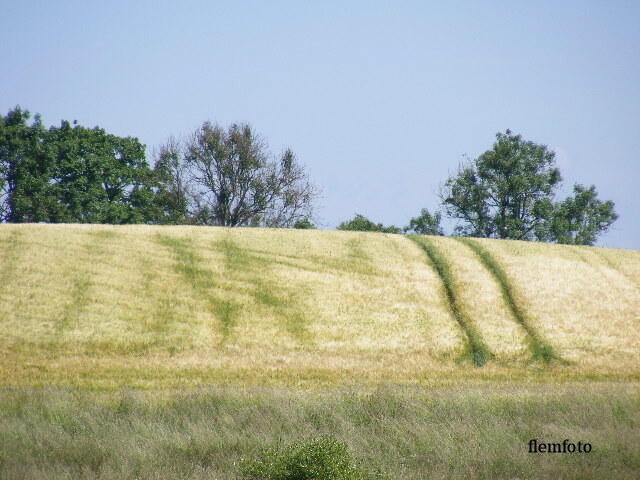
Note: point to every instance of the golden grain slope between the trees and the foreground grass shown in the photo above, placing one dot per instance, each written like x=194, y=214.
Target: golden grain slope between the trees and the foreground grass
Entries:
x=168, y=306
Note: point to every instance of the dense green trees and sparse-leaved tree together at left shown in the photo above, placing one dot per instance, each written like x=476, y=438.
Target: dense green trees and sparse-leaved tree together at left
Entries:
x=217, y=176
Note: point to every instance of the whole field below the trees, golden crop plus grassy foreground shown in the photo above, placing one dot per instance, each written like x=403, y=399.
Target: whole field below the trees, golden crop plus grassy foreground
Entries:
x=175, y=352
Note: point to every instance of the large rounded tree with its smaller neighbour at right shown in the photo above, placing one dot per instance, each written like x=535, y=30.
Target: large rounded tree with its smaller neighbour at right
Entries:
x=509, y=192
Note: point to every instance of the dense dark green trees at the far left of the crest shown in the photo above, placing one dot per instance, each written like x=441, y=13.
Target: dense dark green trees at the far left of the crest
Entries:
x=72, y=174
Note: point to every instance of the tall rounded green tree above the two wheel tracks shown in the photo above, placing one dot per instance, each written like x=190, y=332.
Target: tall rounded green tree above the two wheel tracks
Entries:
x=507, y=192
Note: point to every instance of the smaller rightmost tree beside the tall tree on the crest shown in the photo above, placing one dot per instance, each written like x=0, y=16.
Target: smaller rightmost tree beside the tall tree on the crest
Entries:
x=580, y=218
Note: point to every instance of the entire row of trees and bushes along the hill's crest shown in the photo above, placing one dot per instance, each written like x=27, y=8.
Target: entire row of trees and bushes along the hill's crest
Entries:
x=228, y=177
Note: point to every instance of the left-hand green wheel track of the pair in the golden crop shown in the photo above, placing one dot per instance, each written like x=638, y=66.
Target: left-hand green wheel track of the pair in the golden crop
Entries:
x=476, y=347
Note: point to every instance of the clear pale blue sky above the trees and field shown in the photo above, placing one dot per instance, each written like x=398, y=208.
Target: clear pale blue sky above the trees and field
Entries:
x=381, y=101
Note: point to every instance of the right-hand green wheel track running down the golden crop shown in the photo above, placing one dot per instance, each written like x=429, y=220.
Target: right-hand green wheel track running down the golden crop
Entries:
x=540, y=349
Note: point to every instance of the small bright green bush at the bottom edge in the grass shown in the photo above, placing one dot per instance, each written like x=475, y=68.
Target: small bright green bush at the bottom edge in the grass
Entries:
x=324, y=458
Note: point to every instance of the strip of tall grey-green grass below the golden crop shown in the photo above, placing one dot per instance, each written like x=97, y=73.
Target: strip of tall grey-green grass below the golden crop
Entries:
x=408, y=433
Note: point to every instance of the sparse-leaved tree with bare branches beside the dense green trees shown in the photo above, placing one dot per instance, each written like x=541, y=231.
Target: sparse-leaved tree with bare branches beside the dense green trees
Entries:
x=227, y=177
